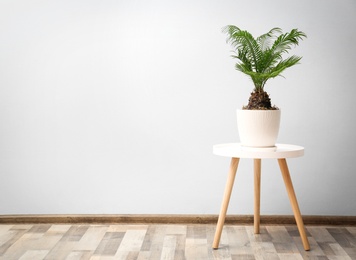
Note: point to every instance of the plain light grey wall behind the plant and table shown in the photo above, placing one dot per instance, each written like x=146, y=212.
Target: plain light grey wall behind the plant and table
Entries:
x=113, y=106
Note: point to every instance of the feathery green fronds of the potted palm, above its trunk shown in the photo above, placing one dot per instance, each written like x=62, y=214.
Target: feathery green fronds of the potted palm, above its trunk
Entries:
x=261, y=58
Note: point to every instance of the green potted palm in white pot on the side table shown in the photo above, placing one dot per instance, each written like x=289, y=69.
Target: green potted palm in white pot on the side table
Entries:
x=261, y=59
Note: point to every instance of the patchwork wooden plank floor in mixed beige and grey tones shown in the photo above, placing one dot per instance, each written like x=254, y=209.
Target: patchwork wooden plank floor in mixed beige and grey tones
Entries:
x=47, y=241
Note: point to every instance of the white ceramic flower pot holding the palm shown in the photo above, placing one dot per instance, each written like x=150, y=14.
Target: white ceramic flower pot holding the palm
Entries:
x=258, y=128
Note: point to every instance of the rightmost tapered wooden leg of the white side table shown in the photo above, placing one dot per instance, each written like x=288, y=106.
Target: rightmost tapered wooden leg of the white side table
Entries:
x=293, y=200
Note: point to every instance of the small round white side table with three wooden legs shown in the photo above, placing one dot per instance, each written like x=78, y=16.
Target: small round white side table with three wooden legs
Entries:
x=281, y=152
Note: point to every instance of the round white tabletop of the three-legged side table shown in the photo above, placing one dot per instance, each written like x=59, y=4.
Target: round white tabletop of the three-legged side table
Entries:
x=238, y=151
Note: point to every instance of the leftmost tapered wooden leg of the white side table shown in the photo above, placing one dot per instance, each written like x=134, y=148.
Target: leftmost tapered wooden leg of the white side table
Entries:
x=225, y=202
